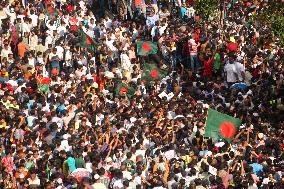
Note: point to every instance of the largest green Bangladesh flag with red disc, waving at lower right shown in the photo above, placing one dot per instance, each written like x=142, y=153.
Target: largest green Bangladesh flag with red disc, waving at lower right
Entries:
x=221, y=126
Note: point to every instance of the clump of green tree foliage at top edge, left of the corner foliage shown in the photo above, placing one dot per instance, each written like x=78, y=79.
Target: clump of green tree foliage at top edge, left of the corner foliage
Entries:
x=205, y=8
